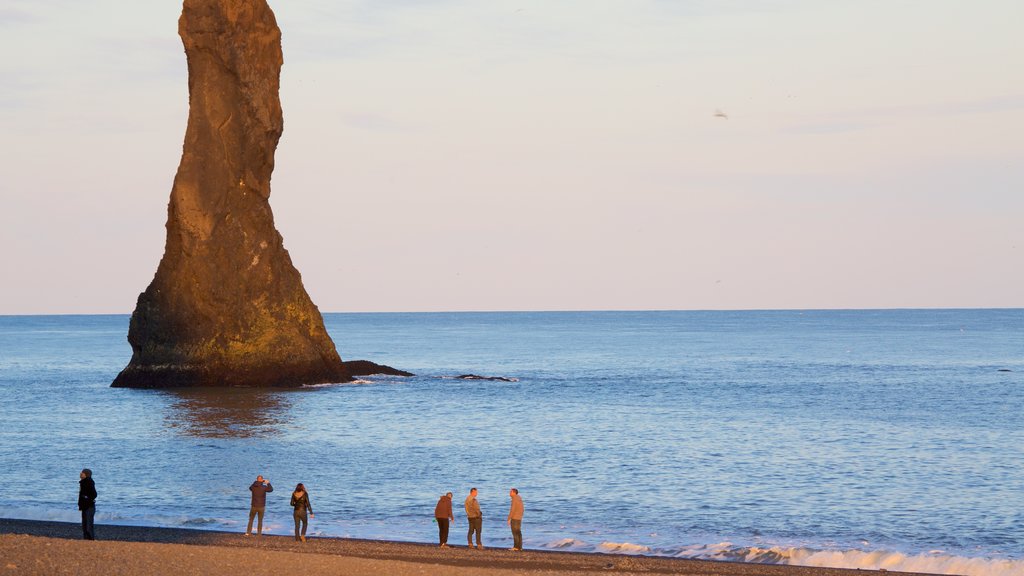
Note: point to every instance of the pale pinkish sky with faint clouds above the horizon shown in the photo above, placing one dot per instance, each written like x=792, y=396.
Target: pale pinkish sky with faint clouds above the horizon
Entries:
x=447, y=155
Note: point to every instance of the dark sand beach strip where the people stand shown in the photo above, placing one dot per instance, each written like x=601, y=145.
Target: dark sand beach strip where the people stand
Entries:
x=53, y=548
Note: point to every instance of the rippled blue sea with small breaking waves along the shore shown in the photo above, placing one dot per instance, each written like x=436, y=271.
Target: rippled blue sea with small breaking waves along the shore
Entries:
x=861, y=439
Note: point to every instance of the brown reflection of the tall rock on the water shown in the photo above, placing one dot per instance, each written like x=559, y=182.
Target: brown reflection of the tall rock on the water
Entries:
x=228, y=413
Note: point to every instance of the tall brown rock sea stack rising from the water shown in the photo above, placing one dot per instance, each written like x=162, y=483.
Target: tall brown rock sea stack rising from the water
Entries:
x=227, y=308
